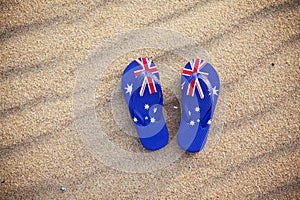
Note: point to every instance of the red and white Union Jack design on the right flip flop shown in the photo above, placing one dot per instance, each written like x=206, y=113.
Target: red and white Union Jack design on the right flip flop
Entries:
x=195, y=66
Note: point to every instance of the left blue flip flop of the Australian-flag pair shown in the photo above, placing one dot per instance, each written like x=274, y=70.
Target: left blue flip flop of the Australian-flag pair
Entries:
x=143, y=94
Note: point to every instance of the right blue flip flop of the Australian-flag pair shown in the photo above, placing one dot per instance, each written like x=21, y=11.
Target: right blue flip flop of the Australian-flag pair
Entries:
x=200, y=85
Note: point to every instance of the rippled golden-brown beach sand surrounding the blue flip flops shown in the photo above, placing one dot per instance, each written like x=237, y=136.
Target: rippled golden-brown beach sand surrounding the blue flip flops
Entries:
x=252, y=151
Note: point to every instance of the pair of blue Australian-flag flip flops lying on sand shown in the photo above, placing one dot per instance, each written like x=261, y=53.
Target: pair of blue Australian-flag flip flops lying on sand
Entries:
x=143, y=93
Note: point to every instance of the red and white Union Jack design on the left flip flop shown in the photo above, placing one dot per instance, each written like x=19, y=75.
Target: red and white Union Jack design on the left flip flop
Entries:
x=145, y=63
